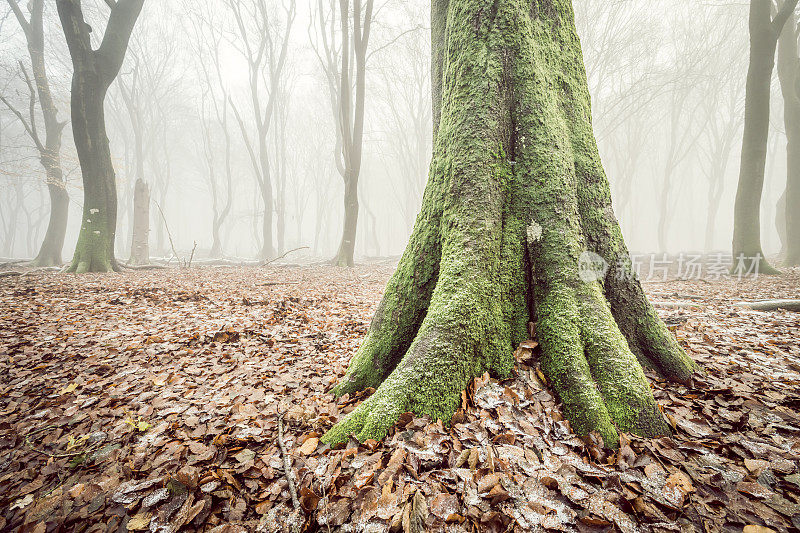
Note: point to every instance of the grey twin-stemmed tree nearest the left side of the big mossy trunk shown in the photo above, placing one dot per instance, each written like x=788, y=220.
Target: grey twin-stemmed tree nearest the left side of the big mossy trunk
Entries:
x=345, y=69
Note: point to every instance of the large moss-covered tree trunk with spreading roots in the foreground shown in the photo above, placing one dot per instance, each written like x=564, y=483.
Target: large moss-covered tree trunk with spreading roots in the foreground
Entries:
x=516, y=202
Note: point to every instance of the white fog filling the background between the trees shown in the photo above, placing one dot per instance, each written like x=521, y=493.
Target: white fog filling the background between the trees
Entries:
x=667, y=80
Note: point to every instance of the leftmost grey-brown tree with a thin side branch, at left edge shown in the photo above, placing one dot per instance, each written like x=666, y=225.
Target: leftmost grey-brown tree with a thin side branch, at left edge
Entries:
x=49, y=150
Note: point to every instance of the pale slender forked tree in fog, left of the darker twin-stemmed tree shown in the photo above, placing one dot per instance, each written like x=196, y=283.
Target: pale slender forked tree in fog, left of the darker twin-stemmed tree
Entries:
x=265, y=55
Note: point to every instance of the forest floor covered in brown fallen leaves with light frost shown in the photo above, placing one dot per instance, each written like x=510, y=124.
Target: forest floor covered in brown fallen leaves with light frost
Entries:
x=149, y=401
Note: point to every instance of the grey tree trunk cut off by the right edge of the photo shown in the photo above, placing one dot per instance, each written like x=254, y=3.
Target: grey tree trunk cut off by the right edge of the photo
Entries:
x=788, y=209
